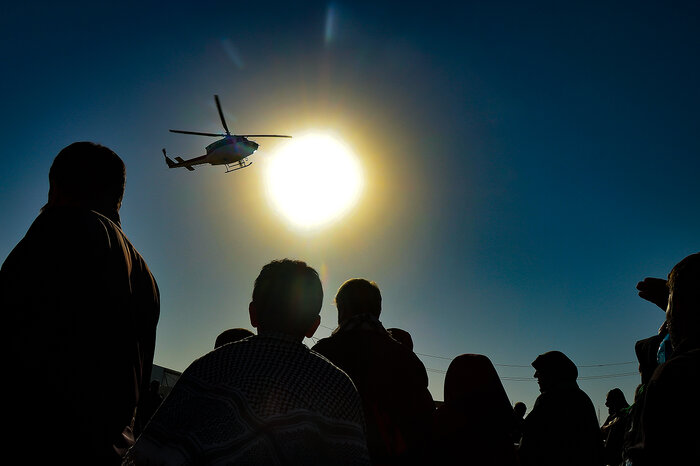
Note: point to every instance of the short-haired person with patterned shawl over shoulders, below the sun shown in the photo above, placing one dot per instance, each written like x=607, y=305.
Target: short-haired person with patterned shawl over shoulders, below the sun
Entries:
x=266, y=399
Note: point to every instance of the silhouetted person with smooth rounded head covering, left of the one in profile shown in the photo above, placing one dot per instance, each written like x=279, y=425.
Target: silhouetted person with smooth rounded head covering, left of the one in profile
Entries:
x=474, y=425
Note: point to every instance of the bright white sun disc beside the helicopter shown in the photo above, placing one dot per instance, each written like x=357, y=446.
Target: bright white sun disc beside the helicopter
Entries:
x=313, y=180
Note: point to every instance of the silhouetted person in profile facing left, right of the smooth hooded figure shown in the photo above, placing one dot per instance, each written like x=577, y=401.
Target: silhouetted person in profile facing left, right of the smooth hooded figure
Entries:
x=562, y=427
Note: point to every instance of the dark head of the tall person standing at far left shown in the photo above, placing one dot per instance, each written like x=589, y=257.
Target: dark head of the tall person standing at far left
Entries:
x=89, y=173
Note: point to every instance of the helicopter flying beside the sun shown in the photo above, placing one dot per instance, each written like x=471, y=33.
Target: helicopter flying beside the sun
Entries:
x=232, y=151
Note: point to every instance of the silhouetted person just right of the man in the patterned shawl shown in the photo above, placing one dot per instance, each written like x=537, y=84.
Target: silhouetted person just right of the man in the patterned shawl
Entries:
x=392, y=381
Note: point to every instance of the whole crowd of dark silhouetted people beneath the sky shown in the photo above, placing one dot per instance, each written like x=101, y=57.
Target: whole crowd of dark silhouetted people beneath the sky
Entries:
x=83, y=309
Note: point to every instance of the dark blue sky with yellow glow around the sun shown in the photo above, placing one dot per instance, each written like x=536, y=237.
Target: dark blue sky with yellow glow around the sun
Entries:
x=526, y=162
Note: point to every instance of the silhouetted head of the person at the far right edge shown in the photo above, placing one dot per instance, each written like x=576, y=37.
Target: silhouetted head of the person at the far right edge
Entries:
x=683, y=312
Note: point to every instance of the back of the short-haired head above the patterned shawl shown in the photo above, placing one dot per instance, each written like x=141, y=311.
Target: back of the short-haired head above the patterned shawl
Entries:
x=287, y=296
